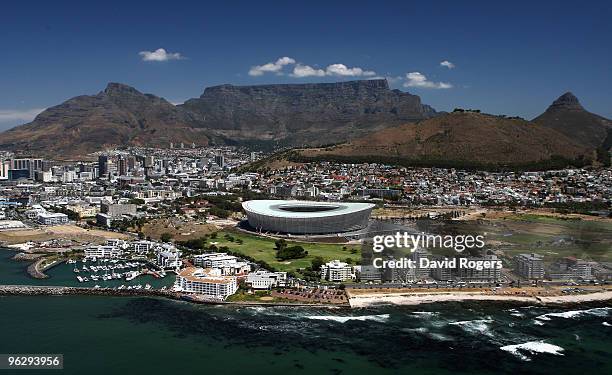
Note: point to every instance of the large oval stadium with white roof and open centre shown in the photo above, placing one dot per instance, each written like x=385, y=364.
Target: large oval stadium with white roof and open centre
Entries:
x=304, y=217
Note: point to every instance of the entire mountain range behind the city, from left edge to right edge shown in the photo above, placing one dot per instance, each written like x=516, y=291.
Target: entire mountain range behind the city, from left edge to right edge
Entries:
x=366, y=120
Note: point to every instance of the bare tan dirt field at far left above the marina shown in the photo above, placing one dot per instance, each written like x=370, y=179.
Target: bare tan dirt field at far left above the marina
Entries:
x=71, y=232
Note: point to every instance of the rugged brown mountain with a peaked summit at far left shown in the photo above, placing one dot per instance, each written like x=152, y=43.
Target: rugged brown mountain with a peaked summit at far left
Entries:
x=117, y=116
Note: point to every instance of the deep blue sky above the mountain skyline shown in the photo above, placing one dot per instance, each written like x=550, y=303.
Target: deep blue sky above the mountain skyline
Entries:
x=507, y=58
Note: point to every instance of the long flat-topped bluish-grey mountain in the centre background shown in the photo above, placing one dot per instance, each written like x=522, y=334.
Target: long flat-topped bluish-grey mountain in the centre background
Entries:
x=298, y=114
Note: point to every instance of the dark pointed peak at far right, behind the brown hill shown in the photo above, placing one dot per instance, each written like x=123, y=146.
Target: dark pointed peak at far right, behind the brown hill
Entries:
x=566, y=115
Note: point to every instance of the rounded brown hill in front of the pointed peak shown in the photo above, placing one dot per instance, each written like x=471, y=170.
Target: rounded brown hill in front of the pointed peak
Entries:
x=465, y=139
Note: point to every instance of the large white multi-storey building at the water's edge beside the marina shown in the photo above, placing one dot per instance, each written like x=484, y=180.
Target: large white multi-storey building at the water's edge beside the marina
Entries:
x=208, y=282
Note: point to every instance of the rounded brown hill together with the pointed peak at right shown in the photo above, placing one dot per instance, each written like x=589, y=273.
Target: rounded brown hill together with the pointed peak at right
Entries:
x=564, y=134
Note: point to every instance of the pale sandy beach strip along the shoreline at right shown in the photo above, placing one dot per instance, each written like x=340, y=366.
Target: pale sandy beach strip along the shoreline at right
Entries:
x=373, y=299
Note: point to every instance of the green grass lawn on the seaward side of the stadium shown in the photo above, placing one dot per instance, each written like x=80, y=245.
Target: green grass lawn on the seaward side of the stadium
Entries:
x=262, y=248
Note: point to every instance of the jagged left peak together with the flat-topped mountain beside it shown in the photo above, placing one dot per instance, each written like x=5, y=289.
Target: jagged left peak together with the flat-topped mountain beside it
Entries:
x=267, y=115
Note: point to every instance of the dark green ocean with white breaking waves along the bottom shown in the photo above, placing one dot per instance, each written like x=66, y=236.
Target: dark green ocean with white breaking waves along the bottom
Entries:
x=107, y=335
